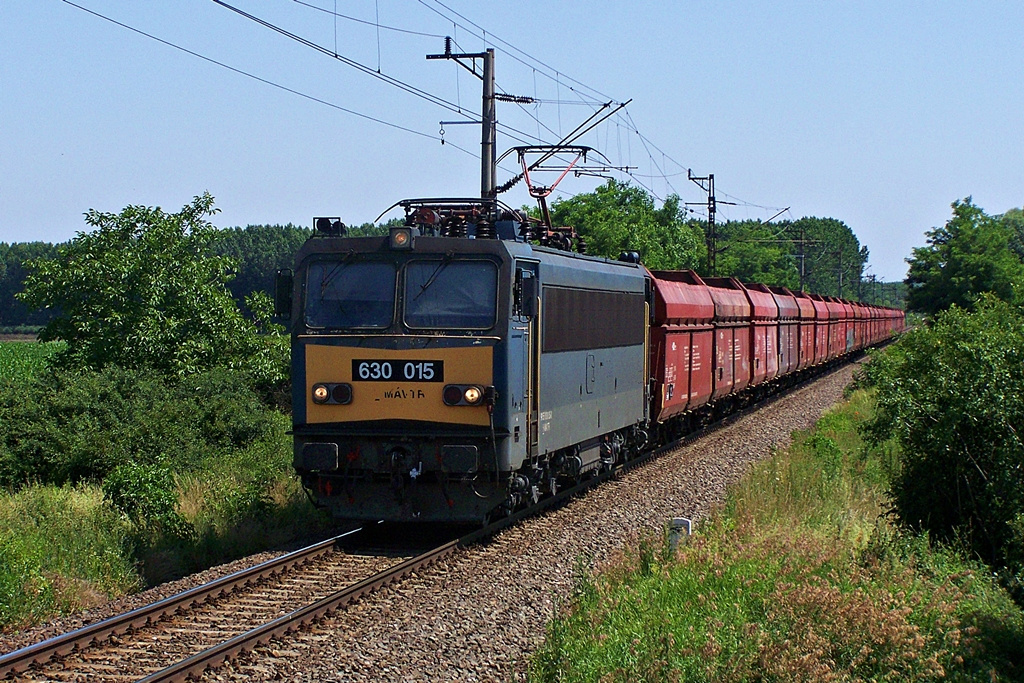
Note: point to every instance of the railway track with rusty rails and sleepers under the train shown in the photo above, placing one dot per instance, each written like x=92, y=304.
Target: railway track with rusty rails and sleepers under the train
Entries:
x=184, y=635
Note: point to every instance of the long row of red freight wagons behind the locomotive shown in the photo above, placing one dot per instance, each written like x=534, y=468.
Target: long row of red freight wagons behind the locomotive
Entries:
x=715, y=337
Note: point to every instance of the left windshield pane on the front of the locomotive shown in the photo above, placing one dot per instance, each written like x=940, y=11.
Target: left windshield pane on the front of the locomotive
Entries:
x=354, y=294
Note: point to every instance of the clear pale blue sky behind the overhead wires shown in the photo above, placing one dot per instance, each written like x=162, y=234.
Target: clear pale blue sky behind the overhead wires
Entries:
x=879, y=114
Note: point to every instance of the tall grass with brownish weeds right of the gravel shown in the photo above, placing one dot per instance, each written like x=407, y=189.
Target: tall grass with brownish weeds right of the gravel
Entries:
x=800, y=578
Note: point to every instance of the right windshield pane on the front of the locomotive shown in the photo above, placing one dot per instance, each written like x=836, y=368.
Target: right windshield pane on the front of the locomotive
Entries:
x=451, y=295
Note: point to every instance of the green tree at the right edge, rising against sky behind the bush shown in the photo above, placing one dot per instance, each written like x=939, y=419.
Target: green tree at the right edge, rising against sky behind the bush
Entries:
x=971, y=254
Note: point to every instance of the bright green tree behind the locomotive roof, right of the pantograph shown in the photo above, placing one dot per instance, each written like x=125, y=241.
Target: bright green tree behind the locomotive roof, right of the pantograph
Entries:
x=619, y=218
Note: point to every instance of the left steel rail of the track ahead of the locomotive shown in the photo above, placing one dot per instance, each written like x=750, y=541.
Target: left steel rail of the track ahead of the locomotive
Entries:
x=64, y=645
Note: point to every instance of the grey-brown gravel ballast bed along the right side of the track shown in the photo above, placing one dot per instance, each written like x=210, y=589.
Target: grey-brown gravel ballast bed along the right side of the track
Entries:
x=480, y=616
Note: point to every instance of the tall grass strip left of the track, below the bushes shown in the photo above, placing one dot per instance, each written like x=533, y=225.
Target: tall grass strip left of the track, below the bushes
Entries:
x=67, y=548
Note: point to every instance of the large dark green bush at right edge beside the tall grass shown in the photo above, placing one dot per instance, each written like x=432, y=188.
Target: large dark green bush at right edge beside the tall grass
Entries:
x=953, y=396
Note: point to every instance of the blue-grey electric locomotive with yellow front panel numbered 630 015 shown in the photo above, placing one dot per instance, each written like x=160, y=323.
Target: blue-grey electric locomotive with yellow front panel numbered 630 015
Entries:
x=454, y=372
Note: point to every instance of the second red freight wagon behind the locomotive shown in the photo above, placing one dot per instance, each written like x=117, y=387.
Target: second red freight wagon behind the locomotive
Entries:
x=733, y=336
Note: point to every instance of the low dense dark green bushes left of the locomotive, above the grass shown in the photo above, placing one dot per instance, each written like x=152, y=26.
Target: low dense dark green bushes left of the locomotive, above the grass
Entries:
x=71, y=426
